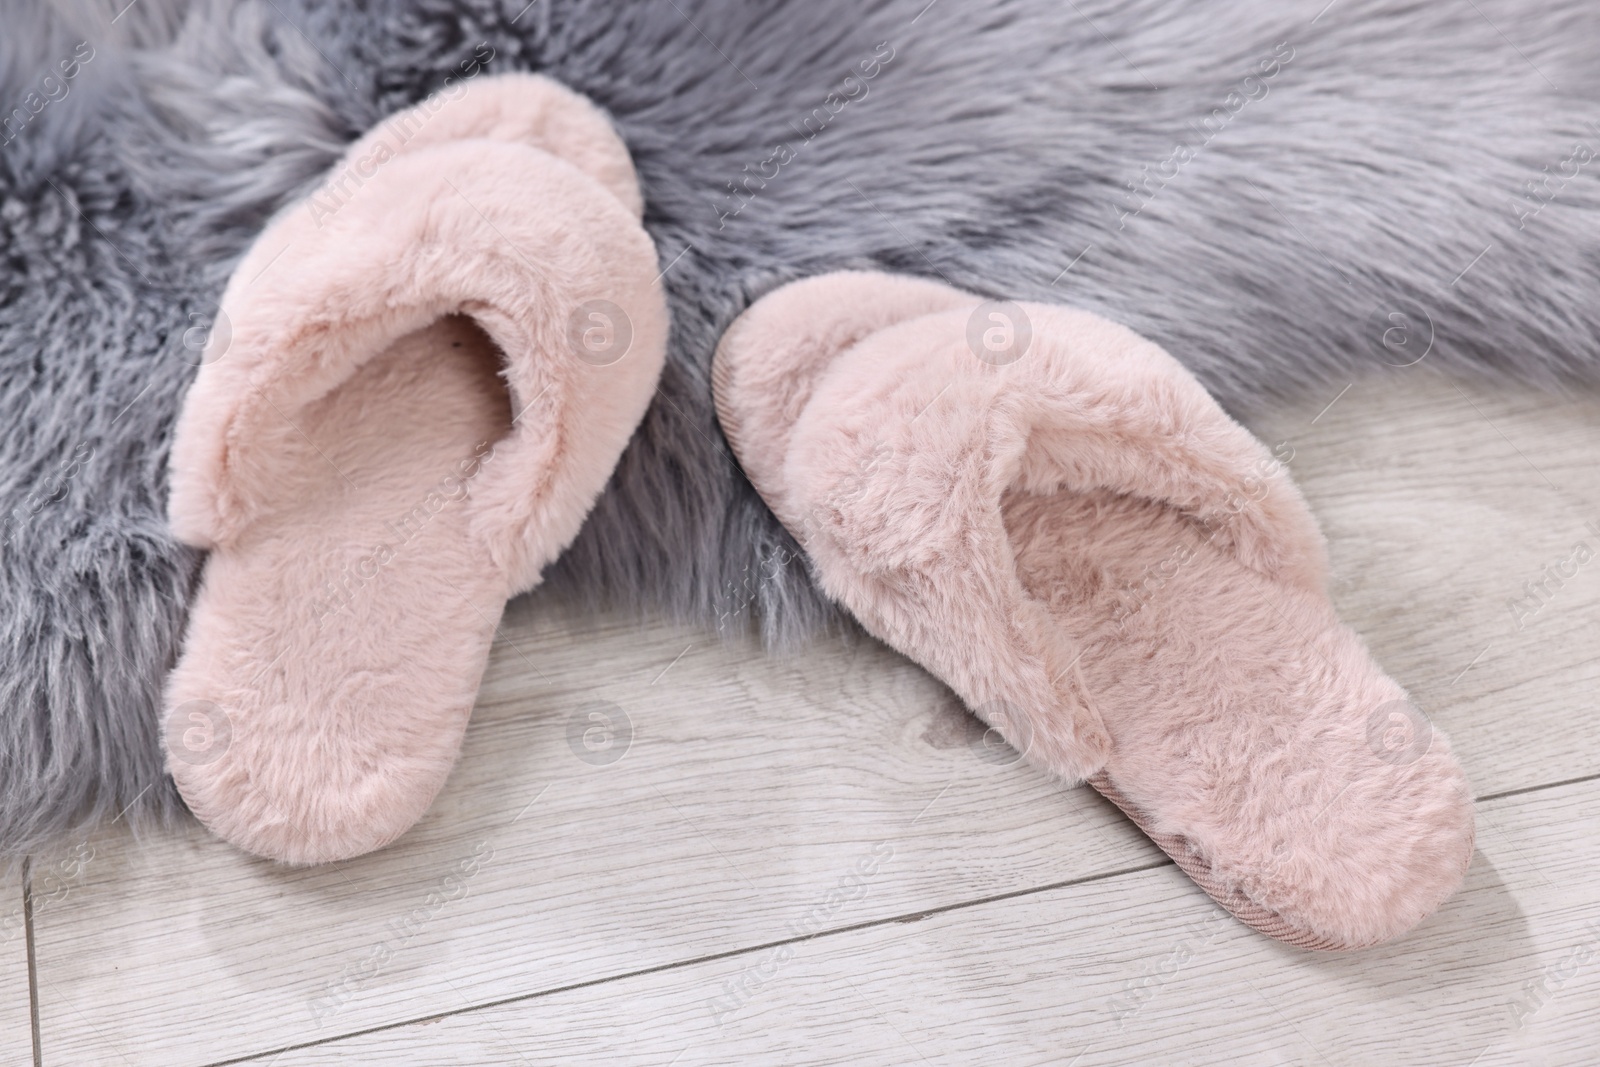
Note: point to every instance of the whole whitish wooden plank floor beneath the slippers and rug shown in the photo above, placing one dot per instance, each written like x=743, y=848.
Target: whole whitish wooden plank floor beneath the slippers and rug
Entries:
x=810, y=861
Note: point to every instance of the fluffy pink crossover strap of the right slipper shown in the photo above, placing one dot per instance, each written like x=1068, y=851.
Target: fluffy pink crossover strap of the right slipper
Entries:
x=908, y=446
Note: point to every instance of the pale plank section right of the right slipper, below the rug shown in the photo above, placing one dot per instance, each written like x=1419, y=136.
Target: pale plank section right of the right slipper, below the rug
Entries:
x=1442, y=502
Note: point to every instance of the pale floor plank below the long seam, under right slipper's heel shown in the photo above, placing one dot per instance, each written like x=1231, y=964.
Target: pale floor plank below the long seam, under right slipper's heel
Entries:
x=1129, y=970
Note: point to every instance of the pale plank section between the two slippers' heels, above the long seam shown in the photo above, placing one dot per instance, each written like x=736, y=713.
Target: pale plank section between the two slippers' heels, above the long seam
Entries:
x=750, y=789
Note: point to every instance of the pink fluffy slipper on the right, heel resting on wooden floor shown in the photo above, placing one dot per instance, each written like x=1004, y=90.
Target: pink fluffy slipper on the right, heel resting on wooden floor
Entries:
x=1054, y=518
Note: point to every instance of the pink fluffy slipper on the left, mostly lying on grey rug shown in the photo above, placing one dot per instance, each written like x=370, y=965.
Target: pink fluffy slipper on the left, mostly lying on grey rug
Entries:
x=428, y=375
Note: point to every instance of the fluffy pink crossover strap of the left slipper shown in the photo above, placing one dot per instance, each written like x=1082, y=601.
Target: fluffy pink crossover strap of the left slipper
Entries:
x=522, y=242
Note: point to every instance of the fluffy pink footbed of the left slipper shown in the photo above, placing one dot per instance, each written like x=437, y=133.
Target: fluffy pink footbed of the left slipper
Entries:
x=345, y=631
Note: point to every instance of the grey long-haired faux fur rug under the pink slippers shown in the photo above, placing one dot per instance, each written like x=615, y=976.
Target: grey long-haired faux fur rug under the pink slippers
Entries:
x=1278, y=193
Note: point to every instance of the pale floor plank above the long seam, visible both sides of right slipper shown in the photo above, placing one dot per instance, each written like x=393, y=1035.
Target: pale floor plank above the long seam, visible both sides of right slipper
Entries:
x=754, y=785
